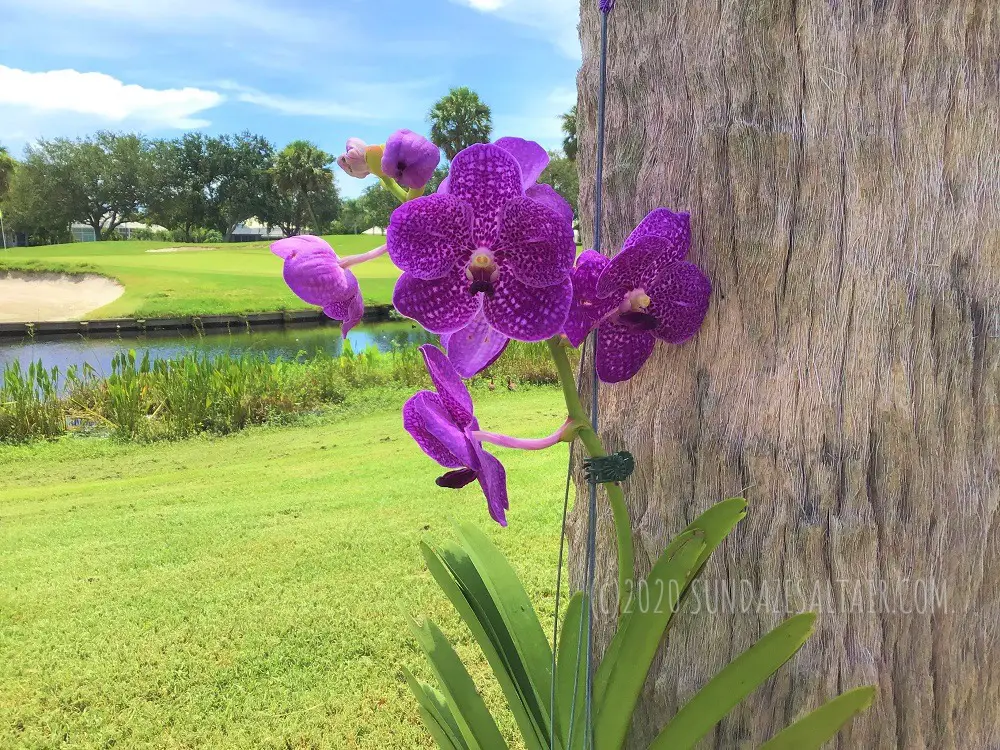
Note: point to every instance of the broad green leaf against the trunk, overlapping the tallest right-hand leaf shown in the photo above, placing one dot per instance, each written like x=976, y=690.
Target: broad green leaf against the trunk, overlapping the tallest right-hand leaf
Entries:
x=642, y=639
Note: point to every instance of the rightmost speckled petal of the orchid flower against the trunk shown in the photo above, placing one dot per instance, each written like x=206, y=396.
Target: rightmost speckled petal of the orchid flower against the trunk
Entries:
x=679, y=301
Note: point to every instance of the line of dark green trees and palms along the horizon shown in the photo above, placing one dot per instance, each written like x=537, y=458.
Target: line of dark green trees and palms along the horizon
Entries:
x=203, y=187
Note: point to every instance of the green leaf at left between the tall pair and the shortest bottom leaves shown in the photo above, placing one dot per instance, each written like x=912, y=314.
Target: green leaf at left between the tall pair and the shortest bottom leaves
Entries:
x=468, y=708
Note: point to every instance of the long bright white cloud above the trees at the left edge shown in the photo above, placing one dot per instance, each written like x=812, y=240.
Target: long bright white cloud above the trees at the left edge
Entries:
x=105, y=98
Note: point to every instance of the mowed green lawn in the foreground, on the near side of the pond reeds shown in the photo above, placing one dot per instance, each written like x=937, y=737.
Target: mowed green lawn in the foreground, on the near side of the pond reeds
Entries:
x=246, y=592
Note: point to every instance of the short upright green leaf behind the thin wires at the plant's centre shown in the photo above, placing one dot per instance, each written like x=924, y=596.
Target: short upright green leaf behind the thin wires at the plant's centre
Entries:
x=571, y=674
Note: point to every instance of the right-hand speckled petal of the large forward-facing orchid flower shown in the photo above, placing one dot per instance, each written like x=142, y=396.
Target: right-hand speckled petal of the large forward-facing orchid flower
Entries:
x=535, y=244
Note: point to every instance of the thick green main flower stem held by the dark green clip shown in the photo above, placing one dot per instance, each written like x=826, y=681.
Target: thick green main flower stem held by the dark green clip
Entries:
x=592, y=443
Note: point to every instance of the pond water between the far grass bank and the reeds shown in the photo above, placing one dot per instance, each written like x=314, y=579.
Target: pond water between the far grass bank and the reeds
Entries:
x=286, y=342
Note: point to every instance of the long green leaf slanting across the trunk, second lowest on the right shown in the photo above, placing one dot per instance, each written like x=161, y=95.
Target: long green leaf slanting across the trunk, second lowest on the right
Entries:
x=734, y=683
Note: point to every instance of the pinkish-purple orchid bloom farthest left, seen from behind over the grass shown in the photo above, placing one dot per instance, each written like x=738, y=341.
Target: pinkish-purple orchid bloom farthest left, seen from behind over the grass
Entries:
x=314, y=273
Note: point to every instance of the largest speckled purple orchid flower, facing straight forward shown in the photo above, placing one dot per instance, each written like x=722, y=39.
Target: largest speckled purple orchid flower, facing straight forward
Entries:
x=483, y=245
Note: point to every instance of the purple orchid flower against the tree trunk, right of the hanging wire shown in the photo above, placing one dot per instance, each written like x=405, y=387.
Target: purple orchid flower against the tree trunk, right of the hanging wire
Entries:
x=646, y=292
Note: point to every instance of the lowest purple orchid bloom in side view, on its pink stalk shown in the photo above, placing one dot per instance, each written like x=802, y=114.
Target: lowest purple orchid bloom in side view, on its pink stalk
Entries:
x=443, y=424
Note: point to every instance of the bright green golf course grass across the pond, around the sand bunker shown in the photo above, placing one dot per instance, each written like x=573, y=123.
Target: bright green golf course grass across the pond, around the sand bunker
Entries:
x=203, y=280
